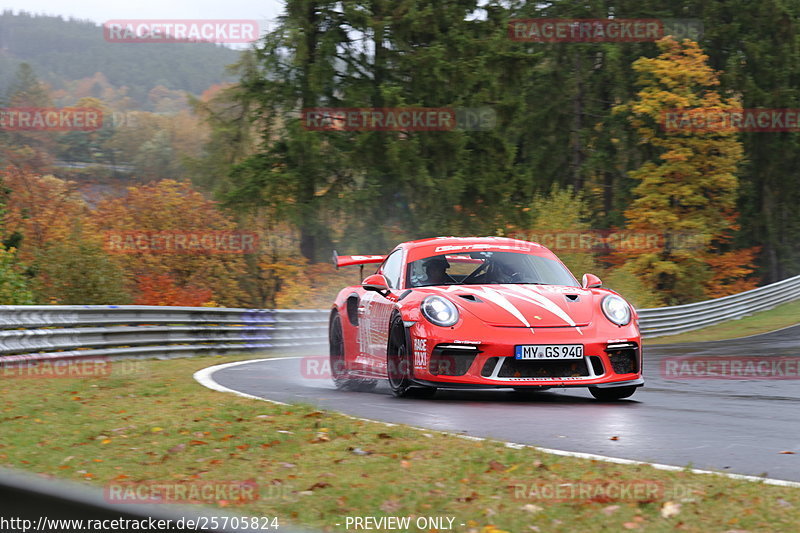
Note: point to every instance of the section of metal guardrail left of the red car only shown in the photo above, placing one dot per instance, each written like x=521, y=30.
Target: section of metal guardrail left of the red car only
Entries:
x=40, y=333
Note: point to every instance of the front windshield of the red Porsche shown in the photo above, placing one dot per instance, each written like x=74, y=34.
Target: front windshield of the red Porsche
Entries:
x=477, y=268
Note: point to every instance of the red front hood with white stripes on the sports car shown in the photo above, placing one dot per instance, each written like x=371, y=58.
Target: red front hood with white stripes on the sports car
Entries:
x=518, y=305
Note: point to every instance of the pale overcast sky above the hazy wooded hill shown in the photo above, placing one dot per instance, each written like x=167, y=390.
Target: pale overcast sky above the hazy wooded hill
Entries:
x=102, y=10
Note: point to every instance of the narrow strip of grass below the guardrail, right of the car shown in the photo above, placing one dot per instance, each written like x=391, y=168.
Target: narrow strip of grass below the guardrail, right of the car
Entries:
x=784, y=315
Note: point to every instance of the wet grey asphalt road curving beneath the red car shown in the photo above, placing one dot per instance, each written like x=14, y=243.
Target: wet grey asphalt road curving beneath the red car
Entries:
x=727, y=425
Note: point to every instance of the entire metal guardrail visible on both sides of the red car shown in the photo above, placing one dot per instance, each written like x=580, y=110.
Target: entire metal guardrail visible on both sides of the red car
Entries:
x=41, y=333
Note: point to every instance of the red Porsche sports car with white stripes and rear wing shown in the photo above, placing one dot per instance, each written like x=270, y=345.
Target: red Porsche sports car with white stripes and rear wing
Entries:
x=485, y=312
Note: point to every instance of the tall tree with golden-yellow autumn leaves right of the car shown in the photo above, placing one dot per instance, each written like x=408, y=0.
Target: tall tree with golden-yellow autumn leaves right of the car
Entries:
x=687, y=187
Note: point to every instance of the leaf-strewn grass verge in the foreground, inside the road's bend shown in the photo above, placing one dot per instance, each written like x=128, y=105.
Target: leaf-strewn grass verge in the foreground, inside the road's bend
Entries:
x=316, y=468
